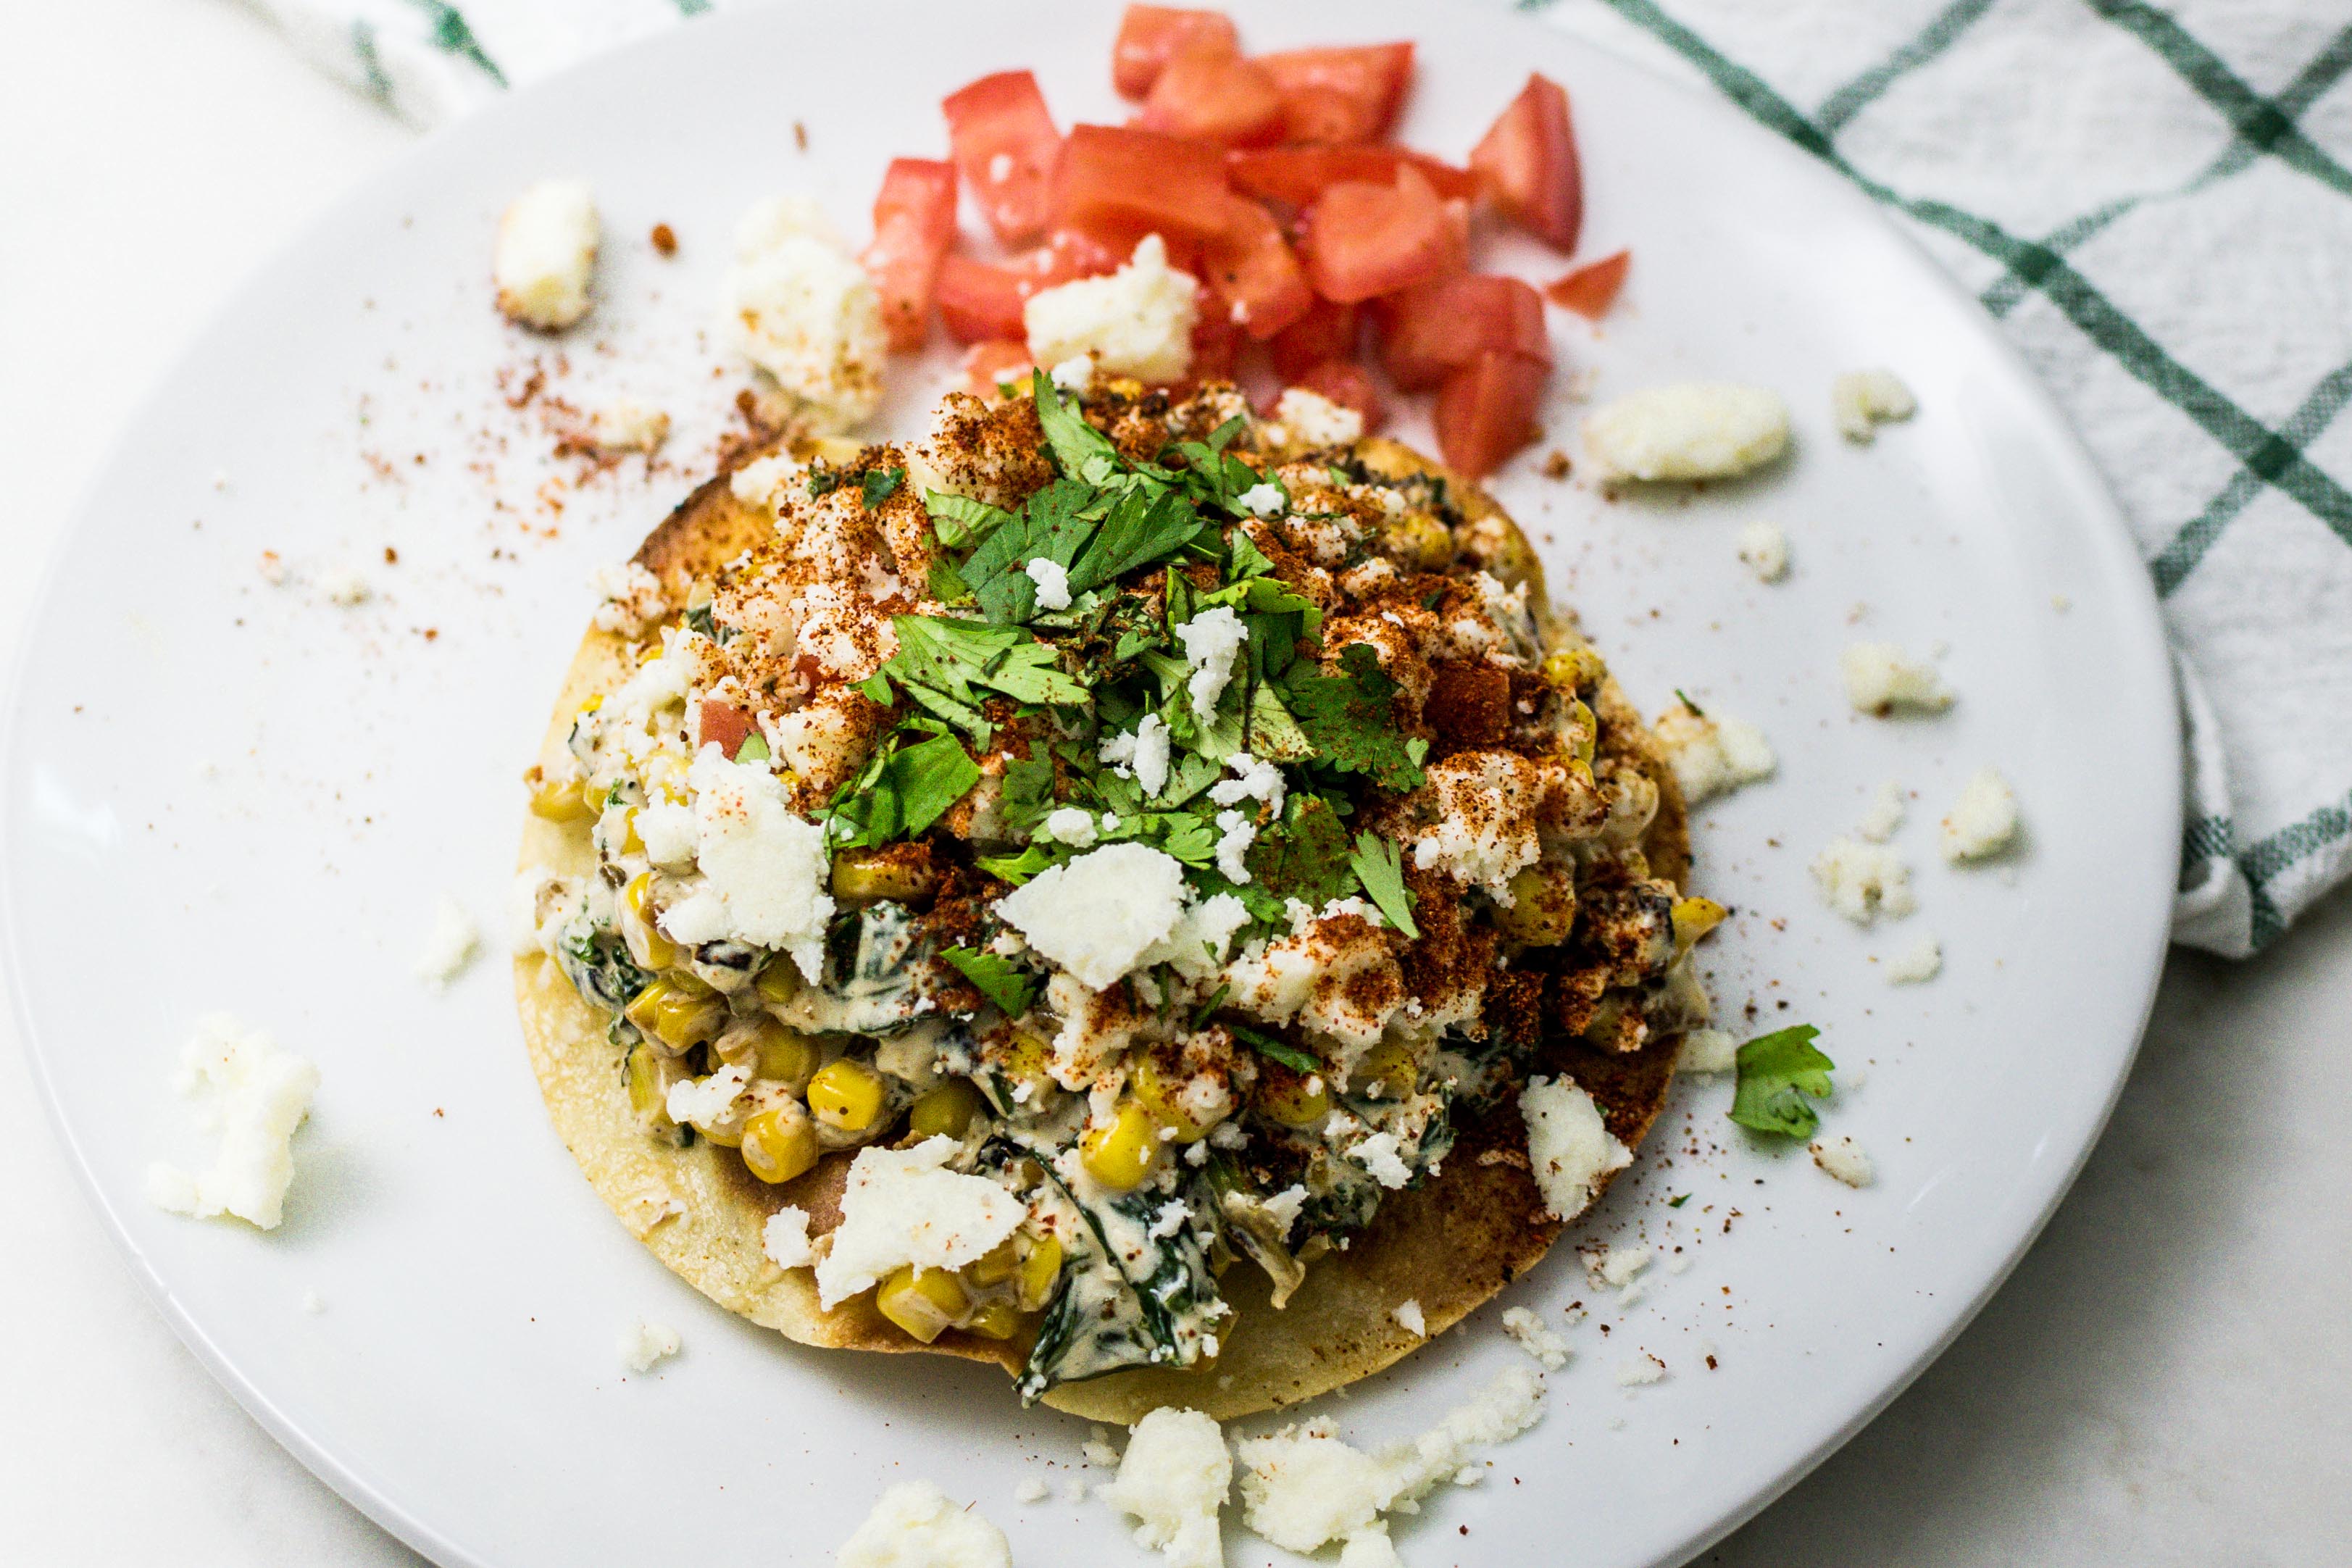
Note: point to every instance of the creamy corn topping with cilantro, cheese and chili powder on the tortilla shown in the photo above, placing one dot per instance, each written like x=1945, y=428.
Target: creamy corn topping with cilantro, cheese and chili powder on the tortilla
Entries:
x=1147, y=822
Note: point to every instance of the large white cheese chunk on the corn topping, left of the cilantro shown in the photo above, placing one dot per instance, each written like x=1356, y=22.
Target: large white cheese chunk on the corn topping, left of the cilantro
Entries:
x=766, y=871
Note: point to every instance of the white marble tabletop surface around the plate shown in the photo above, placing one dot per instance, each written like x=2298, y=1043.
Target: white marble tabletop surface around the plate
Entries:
x=2165, y=1381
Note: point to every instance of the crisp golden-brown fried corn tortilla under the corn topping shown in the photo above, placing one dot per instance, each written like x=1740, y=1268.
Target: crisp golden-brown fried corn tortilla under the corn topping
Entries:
x=1448, y=1245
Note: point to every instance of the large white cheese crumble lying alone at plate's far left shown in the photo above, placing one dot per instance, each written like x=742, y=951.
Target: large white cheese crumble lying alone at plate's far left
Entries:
x=255, y=1094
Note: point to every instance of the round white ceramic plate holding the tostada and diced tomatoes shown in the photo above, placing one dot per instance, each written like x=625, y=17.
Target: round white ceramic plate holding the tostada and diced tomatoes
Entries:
x=462, y=1381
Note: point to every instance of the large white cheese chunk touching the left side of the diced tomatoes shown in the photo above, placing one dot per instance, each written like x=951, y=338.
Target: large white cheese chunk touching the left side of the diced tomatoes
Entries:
x=806, y=311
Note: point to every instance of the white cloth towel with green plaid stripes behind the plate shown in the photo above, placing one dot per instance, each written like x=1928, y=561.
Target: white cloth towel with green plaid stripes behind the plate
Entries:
x=2153, y=201
